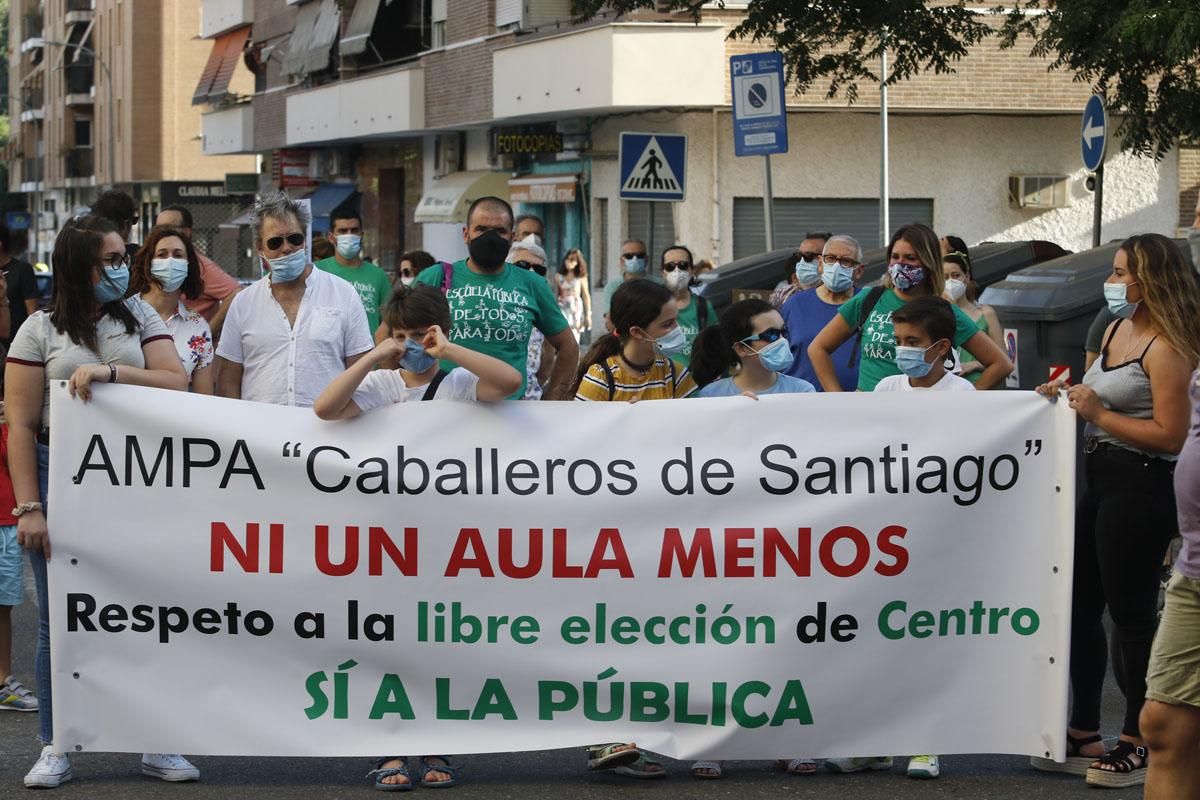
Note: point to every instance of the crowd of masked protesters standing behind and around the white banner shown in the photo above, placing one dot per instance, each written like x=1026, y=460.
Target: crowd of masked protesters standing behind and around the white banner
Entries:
x=338, y=335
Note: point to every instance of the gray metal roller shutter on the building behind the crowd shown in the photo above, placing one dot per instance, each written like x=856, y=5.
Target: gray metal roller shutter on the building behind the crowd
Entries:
x=796, y=216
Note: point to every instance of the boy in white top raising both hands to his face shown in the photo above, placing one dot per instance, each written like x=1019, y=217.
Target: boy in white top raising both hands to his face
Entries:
x=418, y=320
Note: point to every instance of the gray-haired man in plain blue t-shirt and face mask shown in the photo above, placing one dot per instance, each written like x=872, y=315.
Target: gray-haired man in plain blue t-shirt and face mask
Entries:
x=841, y=269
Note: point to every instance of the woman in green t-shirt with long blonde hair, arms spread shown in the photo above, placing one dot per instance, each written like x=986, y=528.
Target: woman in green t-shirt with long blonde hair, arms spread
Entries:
x=915, y=261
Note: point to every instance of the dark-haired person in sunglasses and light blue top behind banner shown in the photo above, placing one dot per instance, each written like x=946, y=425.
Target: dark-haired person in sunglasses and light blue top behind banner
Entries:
x=746, y=354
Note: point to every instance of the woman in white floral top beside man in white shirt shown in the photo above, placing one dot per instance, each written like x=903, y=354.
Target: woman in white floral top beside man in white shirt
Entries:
x=165, y=272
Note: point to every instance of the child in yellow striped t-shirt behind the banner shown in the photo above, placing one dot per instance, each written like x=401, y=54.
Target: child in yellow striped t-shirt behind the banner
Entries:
x=634, y=364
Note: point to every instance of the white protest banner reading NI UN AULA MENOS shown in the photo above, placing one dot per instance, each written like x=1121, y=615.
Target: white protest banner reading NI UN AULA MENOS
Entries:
x=830, y=575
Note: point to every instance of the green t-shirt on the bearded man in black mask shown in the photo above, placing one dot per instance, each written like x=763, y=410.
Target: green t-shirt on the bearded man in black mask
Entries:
x=495, y=315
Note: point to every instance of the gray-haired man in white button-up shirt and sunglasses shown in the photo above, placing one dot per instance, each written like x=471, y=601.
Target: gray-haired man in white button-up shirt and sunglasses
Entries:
x=297, y=329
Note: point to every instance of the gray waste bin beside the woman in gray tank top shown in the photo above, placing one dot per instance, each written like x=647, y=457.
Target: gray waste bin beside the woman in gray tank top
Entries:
x=1046, y=311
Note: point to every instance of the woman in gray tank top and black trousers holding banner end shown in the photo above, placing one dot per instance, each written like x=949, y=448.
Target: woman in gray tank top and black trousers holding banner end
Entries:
x=1135, y=400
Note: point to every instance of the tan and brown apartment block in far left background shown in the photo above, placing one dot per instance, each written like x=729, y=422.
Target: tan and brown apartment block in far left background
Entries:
x=103, y=91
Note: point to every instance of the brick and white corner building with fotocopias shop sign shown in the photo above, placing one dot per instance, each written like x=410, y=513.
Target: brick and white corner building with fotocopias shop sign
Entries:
x=411, y=110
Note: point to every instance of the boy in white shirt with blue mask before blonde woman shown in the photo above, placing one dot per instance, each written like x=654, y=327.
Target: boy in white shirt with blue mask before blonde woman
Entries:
x=925, y=333
